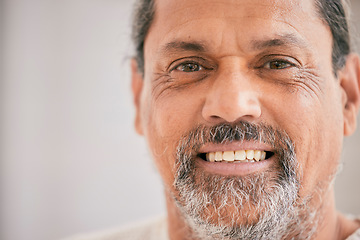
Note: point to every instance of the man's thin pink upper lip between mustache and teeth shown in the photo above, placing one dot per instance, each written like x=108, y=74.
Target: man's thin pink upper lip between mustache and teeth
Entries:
x=235, y=146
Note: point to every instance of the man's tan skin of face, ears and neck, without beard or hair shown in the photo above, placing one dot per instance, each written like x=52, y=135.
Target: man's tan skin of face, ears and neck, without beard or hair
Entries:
x=211, y=62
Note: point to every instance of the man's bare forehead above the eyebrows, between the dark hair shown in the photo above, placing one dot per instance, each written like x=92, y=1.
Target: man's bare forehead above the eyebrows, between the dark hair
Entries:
x=234, y=22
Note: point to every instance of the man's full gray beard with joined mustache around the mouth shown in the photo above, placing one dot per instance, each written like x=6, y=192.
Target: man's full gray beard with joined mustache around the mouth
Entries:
x=259, y=206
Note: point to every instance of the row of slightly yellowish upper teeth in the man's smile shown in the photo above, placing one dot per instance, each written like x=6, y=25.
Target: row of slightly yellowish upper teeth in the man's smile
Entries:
x=236, y=156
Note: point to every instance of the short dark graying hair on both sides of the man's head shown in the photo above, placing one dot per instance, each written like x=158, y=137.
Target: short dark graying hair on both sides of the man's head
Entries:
x=333, y=12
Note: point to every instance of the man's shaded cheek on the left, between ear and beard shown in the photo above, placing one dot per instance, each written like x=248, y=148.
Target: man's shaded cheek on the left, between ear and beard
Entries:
x=166, y=119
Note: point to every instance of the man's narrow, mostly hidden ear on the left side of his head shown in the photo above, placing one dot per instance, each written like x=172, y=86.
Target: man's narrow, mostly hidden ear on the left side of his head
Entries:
x=137, y=83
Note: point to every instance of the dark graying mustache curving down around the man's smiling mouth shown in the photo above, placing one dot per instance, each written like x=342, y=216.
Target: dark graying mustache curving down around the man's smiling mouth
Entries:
x=283, y=147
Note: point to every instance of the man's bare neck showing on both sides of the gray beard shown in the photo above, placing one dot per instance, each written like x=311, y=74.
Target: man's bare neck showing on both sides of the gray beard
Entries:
x=333, y=226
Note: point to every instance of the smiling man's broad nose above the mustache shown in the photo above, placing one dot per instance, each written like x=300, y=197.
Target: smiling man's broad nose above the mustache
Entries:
x=231, y=97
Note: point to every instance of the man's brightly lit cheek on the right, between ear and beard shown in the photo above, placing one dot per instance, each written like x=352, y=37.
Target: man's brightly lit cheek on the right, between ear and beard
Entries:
x=314, y=123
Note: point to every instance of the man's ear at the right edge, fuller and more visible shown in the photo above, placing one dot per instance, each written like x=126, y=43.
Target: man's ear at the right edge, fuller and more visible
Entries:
x=350, y=82
